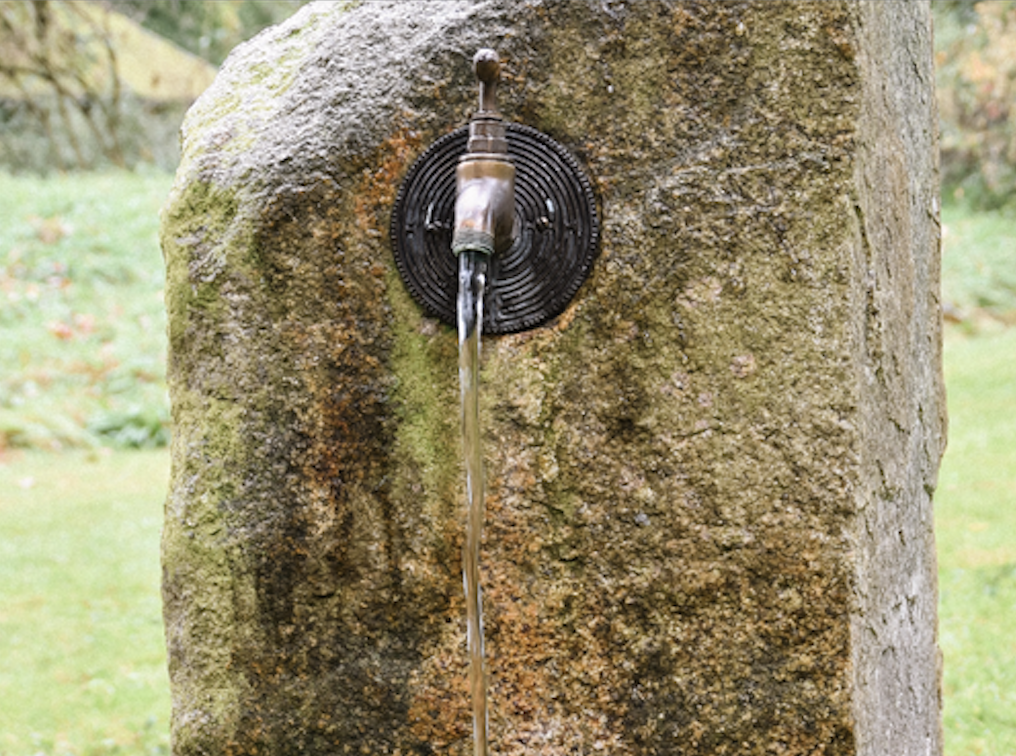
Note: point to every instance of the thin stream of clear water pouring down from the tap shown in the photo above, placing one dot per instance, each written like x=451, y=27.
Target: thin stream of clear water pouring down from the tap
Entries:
x=472, y=279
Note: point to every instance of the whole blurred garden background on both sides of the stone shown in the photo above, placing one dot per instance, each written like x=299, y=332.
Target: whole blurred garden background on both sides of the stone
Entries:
x=92, y=98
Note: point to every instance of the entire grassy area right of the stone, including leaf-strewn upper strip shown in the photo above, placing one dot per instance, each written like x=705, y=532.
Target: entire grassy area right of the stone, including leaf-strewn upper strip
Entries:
x=976, y=503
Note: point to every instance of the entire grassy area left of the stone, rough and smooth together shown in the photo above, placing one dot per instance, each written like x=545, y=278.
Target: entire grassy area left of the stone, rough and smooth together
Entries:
x=83, y=665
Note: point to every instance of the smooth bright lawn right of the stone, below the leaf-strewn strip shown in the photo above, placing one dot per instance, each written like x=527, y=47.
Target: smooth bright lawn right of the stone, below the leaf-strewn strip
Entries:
x=976, y=524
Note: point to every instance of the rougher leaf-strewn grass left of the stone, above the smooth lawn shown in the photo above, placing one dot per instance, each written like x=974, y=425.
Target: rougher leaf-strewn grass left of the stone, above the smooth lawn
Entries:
x=83, y=354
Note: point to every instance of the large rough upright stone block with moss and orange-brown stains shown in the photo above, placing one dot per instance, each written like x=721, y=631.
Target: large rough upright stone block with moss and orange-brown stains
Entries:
x=710, y=518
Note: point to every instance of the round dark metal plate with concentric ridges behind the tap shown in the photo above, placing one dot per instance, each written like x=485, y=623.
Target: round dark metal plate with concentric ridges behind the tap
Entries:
x=556, y=228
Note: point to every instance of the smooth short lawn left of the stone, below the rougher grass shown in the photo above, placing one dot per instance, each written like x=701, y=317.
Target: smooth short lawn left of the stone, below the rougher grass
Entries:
x=84, y=664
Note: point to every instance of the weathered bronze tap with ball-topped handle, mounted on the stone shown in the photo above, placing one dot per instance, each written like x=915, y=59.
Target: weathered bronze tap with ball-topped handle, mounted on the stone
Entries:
x=485, y=202
